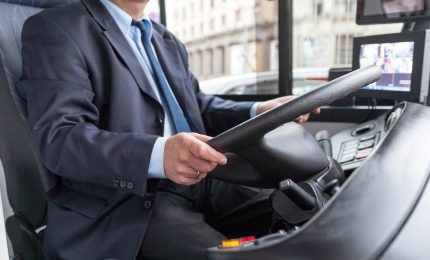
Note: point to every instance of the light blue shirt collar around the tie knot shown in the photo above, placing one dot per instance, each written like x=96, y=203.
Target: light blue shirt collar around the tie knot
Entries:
x=123, y=19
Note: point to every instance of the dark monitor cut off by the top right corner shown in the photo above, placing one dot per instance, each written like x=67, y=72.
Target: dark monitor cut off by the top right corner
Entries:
x=392, y=11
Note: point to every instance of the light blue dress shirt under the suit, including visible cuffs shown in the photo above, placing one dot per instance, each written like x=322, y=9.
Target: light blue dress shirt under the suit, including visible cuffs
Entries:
x=133, y=36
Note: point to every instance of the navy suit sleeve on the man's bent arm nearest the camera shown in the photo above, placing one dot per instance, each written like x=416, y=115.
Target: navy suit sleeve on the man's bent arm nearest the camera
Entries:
x=63, y=121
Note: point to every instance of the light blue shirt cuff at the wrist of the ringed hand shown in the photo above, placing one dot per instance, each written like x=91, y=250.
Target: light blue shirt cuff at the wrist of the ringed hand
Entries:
x=156, y=163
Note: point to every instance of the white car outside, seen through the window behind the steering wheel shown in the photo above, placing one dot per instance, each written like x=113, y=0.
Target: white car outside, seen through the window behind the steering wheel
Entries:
x=264, y=83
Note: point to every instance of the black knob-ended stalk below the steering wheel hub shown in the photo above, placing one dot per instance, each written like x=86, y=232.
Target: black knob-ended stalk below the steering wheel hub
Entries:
x=297, y=195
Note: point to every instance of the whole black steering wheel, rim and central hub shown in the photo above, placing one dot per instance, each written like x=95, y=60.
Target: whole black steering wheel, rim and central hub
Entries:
x=292, y=154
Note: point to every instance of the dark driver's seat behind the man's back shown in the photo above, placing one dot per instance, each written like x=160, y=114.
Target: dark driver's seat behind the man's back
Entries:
x=26, y=182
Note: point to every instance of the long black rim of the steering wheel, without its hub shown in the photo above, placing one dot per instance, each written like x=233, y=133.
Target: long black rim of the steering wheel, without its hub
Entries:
x=255, y=128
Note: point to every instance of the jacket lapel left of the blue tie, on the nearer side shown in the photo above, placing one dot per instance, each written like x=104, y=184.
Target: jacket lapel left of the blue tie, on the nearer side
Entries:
x=119, y=44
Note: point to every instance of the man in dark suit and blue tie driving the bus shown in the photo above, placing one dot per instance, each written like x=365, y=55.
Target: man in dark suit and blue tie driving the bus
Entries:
x=114, y=112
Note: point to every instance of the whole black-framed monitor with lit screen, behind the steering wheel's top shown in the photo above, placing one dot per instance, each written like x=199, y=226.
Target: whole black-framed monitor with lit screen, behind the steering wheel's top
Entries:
x=405, y=71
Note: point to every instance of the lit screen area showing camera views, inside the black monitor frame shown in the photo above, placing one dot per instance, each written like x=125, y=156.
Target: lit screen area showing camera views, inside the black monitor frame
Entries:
x=395, y=61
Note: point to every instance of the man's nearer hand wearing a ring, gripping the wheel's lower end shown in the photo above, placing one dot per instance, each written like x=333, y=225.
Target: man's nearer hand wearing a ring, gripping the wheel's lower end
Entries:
x=188, y=159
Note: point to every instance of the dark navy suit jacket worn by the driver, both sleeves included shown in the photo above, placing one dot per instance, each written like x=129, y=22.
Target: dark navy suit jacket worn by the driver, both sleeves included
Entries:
x=94, y=119
